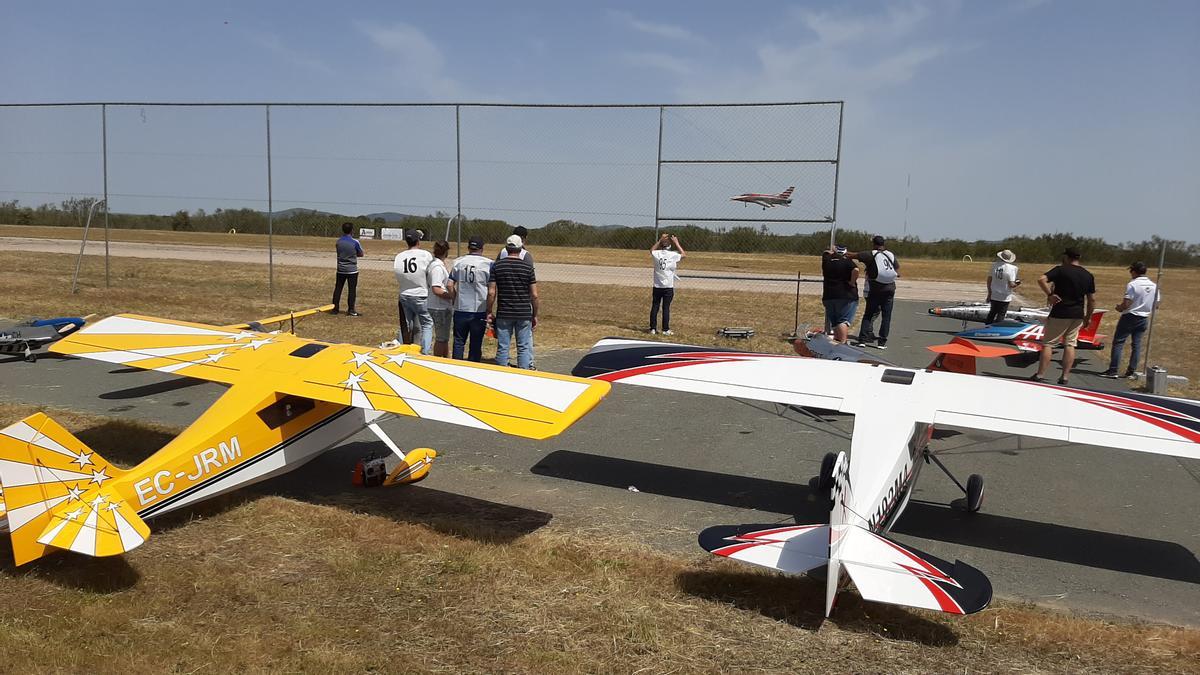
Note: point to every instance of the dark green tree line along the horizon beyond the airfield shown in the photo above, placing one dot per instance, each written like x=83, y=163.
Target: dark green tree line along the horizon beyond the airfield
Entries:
x=1041, y=249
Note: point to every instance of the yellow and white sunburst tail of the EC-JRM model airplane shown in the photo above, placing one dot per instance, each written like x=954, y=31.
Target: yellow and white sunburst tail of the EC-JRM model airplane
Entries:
x=53, y=494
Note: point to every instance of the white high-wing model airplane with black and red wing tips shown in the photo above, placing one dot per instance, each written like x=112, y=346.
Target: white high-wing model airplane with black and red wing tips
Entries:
x=896, y=410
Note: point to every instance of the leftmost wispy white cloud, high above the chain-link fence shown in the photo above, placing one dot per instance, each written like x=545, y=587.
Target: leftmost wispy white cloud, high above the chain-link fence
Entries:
x=418, y=64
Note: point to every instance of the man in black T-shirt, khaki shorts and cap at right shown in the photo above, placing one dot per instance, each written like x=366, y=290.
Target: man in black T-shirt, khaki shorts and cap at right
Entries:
x=1071, y=294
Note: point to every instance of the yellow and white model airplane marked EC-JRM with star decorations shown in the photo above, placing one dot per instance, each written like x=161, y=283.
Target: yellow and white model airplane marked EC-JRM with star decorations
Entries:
x=290, y=401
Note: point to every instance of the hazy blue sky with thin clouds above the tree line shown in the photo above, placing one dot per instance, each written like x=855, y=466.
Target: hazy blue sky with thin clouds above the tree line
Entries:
x=1018, y=117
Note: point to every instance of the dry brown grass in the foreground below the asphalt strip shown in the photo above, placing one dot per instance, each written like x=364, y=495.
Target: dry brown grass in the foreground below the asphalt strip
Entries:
x=404, y=581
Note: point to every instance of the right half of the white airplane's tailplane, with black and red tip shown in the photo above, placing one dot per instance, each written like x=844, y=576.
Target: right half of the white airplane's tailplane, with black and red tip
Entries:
x=890, y=572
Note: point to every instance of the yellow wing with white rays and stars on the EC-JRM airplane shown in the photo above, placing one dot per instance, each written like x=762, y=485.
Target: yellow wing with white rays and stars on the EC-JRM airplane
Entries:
x=536, y=405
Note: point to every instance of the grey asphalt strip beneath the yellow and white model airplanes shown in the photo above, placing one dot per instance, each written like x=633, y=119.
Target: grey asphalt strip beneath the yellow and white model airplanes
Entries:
x=1075, y=528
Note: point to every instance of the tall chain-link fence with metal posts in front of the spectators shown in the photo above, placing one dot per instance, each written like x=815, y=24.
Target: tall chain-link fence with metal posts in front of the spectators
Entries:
x=593, y=184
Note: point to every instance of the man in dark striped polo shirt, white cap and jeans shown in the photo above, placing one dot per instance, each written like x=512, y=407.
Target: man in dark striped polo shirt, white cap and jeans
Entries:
x=513, y=292
